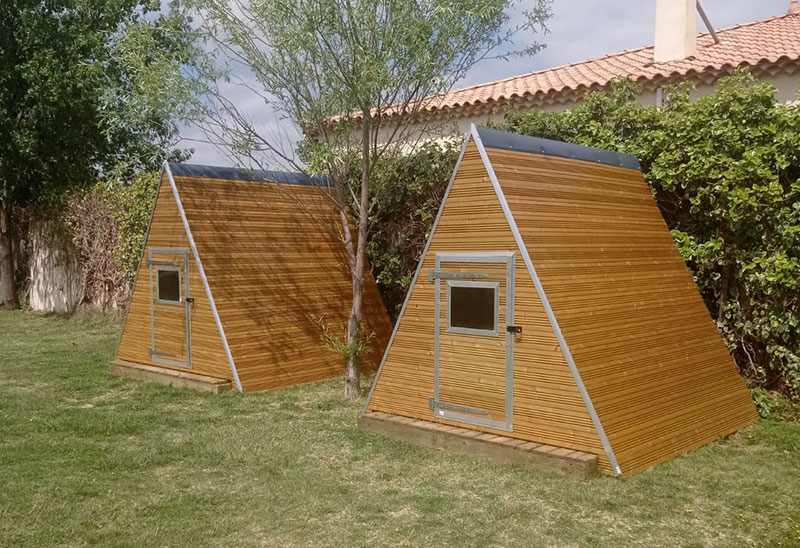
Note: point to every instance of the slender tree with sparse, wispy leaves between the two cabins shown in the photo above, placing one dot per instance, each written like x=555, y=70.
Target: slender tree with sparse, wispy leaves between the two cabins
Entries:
x=354, y=77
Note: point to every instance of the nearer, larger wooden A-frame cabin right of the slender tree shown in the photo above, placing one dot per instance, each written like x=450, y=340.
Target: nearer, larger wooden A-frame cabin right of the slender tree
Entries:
x=551, y=306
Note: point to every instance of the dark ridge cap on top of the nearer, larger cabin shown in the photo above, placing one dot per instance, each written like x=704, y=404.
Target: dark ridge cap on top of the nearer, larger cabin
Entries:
x=492, y=138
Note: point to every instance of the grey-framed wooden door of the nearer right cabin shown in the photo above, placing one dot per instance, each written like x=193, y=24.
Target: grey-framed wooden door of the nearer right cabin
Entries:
x=474, y=338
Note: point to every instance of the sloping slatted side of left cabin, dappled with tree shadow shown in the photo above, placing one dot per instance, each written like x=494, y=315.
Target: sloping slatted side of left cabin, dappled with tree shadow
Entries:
x=273, y=260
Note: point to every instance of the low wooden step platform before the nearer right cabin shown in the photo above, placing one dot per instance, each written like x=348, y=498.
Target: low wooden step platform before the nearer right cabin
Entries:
x=474, y=443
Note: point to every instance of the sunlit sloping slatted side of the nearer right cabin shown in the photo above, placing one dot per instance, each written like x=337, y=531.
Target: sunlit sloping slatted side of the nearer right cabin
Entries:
x=652, y=360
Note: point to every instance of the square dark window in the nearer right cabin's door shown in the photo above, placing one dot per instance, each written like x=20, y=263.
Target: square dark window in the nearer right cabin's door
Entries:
x=472, y=308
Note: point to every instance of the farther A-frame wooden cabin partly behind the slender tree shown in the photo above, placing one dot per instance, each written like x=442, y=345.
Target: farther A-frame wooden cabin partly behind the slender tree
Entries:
x=237, y=270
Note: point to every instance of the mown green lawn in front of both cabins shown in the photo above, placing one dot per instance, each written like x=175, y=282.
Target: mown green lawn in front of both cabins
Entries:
x=87, y=459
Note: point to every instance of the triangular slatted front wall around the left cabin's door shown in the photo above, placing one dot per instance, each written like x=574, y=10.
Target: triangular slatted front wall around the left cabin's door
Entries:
x=208, y=355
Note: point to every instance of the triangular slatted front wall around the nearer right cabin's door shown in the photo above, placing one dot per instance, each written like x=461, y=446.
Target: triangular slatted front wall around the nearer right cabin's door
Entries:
x=547, y=405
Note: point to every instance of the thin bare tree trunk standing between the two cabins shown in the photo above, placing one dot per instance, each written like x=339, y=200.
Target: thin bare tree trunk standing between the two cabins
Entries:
x=357, y=271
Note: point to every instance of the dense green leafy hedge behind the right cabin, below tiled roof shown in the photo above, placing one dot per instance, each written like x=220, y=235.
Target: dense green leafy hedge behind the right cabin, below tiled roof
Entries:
x=724, y=169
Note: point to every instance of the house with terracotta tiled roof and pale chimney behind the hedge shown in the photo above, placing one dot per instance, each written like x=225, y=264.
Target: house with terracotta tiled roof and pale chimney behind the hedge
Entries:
x=769, y=48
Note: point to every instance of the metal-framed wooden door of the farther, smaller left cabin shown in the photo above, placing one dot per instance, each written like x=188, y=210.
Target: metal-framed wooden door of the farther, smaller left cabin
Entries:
x=170, y=302
